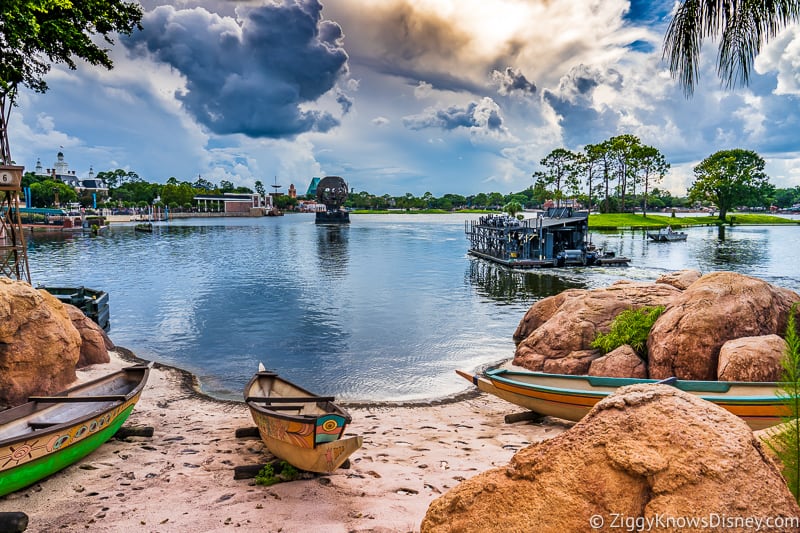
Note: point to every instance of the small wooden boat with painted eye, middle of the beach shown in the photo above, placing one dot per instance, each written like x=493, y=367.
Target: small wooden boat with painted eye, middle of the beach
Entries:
x=303, y=429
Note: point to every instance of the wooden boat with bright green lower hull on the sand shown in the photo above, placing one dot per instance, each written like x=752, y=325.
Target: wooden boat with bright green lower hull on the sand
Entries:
x=49, y=433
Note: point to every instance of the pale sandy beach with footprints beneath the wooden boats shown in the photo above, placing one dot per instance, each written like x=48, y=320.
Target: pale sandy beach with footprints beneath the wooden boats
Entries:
x=182, y=478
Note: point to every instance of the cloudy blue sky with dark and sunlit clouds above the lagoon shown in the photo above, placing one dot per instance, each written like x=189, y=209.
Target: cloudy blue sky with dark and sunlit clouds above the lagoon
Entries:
x=400, y=96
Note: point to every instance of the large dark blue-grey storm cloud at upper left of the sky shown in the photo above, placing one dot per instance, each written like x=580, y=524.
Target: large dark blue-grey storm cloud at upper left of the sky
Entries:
x=252, y=77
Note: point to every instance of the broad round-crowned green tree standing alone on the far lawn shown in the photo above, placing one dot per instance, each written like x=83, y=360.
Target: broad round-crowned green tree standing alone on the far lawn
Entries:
x=729, y=178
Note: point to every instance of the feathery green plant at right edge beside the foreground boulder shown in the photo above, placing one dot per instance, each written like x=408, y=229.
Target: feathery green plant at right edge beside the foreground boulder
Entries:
x=785, y=440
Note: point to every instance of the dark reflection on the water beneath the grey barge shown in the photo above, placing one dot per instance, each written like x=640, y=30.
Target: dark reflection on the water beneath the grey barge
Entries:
x=510, y=286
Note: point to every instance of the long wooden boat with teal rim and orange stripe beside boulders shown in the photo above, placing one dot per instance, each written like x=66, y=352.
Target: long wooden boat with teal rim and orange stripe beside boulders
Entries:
x=571, y=397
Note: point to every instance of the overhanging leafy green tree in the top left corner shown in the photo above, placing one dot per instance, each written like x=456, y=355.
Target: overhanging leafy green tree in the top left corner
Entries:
x=37, y=33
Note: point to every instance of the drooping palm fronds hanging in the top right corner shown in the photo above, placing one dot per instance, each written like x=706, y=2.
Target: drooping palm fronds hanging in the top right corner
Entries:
x=743, y=27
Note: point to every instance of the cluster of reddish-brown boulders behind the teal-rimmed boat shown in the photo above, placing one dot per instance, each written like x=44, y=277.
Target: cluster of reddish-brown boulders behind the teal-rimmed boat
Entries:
x=702, y=314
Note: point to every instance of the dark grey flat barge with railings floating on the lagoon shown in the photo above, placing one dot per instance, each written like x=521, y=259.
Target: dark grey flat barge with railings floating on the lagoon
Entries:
x=558, y=237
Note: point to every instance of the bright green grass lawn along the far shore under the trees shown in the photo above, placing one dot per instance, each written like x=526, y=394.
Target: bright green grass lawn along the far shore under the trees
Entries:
x=620, y=220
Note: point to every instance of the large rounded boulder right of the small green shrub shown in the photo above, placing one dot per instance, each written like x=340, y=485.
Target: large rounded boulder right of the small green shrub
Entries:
x=686, y=339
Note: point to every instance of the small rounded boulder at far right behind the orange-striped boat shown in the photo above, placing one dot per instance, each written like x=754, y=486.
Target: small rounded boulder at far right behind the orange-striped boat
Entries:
x=751, y=359
